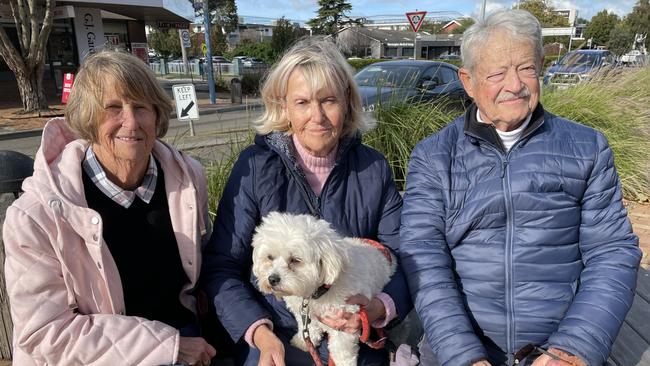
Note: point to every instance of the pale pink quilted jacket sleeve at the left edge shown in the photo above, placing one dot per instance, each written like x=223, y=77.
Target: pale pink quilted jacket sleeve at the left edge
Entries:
x=47, y=331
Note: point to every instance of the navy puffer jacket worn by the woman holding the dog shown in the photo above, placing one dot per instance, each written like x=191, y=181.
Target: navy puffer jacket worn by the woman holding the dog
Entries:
x=359, y=199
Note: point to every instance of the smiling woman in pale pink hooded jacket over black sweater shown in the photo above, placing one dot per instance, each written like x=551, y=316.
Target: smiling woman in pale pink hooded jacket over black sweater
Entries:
x=103, y=249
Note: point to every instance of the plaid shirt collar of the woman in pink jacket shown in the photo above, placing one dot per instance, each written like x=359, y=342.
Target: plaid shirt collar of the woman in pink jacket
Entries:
x=124, y=198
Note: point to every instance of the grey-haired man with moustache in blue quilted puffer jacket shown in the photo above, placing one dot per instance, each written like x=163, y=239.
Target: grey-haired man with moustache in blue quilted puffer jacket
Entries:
x=514, y=239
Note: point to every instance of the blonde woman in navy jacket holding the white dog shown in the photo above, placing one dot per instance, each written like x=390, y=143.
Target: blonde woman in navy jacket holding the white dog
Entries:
x=307, y=159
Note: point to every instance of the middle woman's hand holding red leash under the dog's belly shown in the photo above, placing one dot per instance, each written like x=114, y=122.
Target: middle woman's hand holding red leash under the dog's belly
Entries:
x=348, y=322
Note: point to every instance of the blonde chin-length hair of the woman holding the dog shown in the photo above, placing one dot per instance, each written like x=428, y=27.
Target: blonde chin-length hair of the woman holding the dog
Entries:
x=325, y=68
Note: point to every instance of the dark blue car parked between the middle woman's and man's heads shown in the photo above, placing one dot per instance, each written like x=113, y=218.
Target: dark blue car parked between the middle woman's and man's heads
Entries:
x=409, y=80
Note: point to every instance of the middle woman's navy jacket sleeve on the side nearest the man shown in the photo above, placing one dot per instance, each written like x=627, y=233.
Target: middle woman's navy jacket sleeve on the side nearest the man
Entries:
x=388, y=233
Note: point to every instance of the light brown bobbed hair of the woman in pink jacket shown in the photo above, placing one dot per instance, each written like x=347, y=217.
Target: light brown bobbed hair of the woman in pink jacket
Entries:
x=128, y=76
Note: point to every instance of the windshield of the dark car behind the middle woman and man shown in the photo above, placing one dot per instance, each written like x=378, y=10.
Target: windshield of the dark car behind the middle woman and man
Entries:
x=388, y=76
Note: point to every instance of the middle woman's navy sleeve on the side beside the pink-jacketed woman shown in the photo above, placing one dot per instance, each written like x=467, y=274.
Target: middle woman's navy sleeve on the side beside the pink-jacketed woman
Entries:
x=227, y=260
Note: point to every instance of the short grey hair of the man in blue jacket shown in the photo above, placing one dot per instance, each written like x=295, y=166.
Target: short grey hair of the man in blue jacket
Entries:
x=517, y=23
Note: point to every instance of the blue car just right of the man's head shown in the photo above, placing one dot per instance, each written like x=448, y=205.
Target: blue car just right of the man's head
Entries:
x=577, y=66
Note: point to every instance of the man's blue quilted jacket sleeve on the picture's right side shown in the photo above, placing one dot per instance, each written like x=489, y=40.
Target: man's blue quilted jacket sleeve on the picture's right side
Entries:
x=611, y=256
